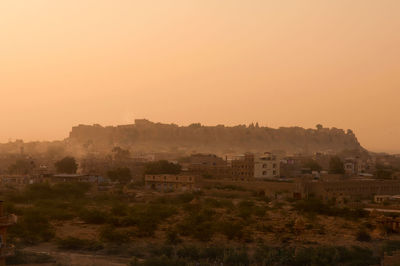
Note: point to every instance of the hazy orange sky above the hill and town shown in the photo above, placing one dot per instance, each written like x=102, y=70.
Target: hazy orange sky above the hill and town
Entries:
x=281, y=63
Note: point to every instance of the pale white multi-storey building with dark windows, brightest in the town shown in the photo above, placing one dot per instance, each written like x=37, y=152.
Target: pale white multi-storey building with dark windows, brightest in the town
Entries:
x=266, y=166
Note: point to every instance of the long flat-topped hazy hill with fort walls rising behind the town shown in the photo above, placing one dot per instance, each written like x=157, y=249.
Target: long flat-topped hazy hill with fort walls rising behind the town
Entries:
x=148, y=136
